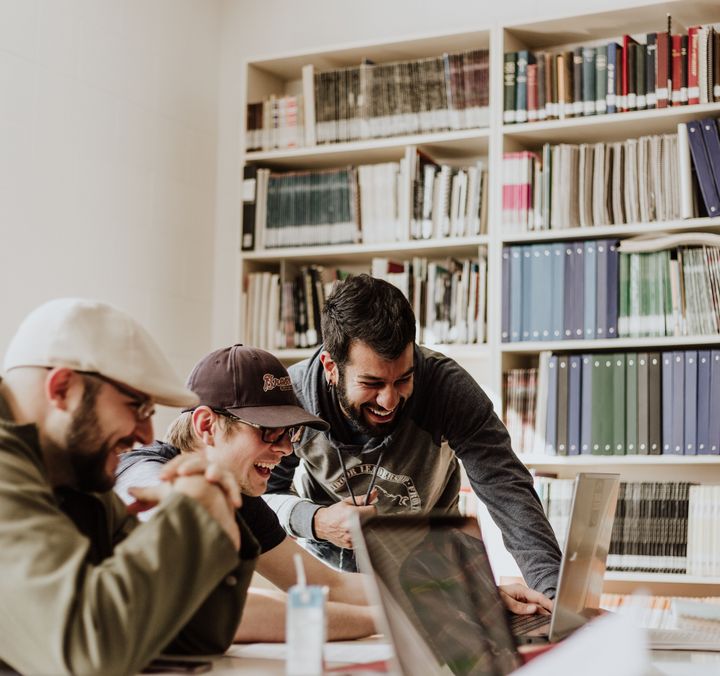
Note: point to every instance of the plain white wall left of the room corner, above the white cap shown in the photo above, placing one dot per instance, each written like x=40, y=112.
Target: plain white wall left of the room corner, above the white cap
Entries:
x=108, y=137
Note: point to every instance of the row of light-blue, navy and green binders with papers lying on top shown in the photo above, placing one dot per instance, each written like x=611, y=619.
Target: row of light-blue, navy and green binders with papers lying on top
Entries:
x=665, y=285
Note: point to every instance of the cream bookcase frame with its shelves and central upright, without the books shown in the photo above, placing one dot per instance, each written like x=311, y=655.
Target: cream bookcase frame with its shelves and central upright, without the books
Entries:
x=283, y=75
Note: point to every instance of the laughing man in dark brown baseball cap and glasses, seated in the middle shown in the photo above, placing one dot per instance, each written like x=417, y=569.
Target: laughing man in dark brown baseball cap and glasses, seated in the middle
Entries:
x=245, y=420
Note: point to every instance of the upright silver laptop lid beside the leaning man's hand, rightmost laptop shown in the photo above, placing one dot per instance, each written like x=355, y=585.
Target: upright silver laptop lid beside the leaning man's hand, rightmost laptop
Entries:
x=588, y=541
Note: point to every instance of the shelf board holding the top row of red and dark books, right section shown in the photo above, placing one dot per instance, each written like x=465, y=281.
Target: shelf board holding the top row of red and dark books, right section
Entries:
x=613, y=127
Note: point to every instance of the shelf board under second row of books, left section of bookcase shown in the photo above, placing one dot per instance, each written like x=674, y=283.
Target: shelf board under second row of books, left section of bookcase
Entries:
x=456, y=246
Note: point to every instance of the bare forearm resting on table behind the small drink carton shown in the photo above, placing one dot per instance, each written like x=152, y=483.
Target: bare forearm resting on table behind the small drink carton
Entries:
x=264, y=619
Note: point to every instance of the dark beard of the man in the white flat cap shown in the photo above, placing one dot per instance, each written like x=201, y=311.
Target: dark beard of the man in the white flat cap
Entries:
x=86, y=452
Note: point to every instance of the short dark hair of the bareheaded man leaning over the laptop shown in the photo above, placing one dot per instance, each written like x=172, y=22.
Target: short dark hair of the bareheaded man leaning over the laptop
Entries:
x=369, y=310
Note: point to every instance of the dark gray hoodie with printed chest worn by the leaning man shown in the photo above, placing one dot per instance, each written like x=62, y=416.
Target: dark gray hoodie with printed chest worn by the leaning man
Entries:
x=417, y=471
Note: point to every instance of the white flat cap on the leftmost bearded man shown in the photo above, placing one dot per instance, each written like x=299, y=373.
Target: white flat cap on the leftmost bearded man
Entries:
x=87, y=335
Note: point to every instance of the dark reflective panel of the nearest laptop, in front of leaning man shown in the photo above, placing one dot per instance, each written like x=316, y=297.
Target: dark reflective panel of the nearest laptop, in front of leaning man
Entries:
x=433, y=574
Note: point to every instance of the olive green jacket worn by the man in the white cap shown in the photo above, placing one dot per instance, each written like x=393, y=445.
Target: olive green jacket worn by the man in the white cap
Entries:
x=85, y=589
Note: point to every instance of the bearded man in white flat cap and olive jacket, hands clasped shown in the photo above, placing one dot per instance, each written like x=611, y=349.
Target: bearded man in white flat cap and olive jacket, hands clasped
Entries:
x=84, y=588
